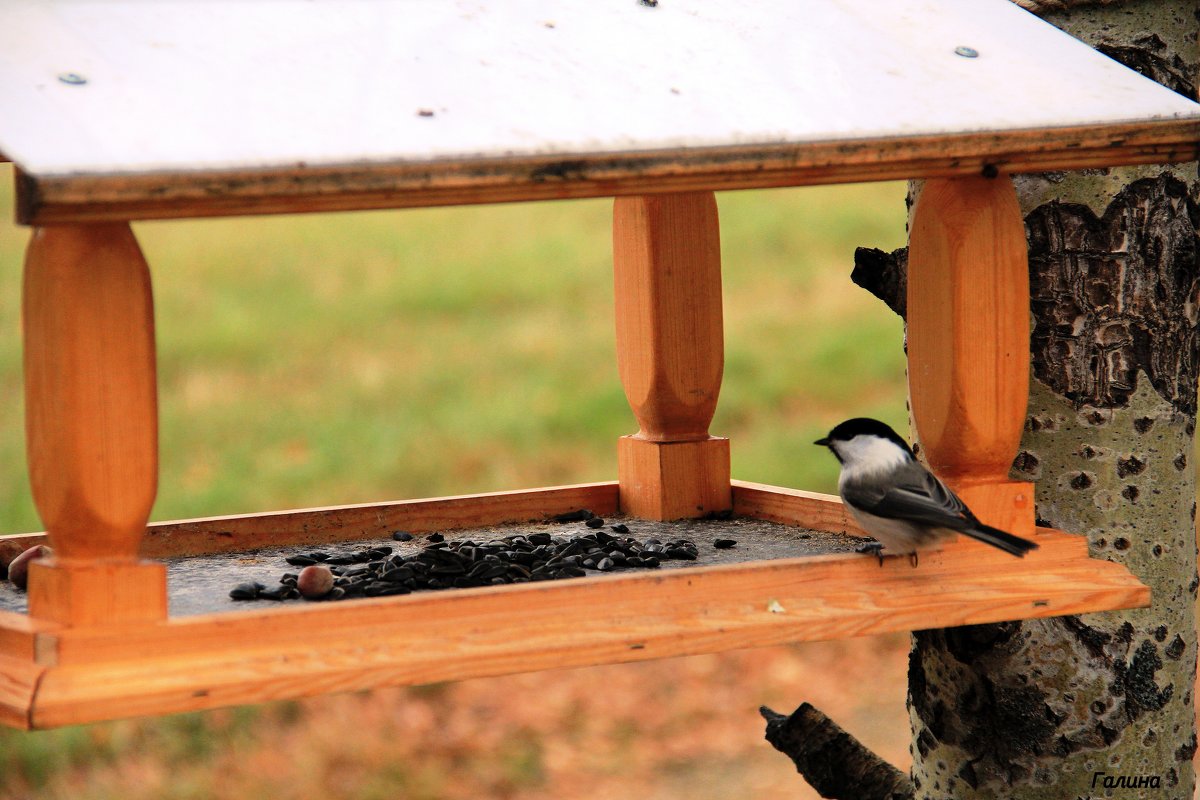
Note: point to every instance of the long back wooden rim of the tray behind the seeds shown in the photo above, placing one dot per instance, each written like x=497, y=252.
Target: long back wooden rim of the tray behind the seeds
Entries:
x=357, y=522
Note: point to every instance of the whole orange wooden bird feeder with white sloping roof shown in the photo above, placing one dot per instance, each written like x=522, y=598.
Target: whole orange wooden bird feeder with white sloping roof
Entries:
x=117, y=112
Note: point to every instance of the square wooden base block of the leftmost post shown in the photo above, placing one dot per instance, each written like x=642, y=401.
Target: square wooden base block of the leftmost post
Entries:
x=99, y=593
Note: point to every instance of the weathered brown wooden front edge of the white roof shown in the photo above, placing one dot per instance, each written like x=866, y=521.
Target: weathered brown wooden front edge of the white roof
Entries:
x=47, y=200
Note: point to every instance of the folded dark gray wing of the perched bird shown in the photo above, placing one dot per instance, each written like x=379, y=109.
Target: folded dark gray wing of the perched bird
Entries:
x=916, y=496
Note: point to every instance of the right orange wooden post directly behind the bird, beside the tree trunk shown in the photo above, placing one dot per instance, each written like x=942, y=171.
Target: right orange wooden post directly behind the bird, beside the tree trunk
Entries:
x=969, y=342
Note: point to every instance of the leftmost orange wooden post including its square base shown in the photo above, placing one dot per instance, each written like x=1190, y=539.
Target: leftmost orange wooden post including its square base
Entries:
x=92, y=424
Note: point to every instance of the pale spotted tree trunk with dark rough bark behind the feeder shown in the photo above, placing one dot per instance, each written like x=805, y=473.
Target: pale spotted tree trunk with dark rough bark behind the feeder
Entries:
x=1102, y=705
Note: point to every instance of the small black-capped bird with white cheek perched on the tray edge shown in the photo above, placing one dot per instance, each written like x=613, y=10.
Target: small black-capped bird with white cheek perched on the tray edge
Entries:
x=899, y=502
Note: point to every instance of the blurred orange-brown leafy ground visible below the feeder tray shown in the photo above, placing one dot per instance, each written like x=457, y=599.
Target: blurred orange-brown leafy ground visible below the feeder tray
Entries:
x=658, y=731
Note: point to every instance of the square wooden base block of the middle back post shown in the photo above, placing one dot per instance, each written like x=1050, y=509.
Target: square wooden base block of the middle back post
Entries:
x=674, y=480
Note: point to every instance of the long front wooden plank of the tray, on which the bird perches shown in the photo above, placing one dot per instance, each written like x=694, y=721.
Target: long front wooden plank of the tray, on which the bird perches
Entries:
x=692, y=615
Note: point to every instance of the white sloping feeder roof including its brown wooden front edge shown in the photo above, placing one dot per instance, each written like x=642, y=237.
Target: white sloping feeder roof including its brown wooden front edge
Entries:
x=221, y=107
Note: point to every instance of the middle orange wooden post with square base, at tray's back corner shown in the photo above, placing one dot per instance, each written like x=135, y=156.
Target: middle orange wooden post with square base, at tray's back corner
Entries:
x=670, y=354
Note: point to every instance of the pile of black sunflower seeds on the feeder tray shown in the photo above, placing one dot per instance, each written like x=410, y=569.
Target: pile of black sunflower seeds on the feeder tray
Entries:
x=380, y=573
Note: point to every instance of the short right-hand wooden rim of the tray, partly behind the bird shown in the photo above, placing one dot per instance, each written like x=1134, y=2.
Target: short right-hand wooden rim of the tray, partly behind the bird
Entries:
x=827, y=513
